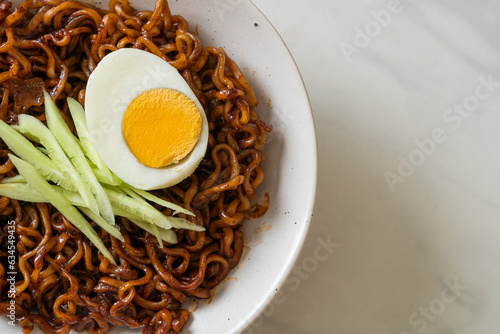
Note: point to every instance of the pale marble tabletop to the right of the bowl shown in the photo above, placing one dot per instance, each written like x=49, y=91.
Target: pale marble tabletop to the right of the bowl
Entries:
x=406, y=231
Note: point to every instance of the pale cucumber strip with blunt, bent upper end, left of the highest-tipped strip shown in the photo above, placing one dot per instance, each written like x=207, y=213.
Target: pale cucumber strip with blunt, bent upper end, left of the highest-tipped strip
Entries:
x=35, y=130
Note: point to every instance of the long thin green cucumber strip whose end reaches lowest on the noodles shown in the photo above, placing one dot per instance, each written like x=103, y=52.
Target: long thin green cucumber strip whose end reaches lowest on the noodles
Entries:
x=36, y=180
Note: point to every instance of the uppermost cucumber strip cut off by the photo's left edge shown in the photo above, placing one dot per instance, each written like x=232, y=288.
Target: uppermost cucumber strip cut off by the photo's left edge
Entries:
x=22, y=147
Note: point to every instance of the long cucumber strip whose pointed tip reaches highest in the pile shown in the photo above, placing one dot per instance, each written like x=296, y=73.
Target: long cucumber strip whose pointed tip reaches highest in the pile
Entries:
x=70, y=145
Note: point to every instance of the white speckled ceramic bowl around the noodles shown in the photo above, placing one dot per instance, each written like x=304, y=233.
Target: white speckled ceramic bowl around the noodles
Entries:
x=274, y=242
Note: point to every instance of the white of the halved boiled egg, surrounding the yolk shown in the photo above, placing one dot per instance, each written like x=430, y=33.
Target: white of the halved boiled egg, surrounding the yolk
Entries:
x=120, y=77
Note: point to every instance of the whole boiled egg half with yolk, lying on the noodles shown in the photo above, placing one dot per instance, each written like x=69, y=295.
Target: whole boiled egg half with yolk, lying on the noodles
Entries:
x=144, y=120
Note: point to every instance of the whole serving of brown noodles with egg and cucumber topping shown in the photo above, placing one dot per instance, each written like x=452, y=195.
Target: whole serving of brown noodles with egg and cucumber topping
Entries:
x=142, y=249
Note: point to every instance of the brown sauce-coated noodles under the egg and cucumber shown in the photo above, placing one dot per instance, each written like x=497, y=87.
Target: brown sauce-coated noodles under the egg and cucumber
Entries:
x=63, y=283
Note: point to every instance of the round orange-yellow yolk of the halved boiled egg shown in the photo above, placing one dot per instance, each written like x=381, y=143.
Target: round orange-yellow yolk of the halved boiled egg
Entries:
x=161, y=127
